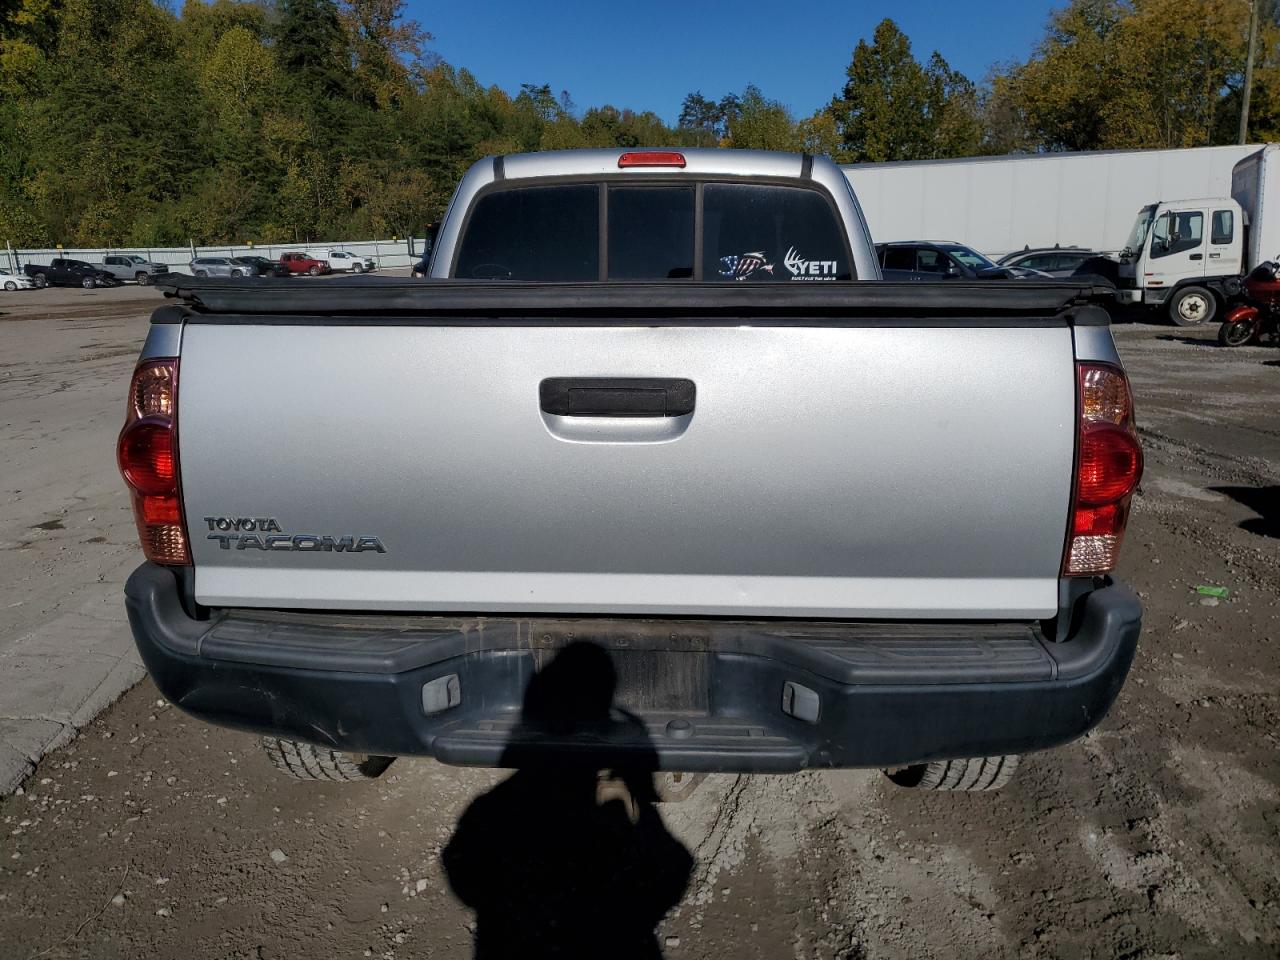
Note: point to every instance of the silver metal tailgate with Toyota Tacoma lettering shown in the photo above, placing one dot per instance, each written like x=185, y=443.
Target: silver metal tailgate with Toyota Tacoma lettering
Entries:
x=897, y=472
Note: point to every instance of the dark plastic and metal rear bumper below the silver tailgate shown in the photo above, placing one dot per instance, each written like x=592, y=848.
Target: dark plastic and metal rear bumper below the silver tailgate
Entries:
x=688, y=696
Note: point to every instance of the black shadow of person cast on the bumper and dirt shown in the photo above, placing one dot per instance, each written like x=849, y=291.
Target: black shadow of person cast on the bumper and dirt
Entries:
x=560, y=861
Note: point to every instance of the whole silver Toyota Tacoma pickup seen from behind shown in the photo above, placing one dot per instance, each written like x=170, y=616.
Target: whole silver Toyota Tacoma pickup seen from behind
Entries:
x=652, y=470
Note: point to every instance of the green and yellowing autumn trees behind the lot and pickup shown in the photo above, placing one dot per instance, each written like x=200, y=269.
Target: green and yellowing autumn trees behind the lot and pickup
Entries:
x=125, y=124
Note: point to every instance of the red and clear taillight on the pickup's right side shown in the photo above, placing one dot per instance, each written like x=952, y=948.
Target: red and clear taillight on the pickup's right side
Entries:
x=1108, y=470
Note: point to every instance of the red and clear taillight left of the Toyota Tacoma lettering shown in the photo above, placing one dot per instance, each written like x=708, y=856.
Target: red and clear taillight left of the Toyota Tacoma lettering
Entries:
x=148, y=454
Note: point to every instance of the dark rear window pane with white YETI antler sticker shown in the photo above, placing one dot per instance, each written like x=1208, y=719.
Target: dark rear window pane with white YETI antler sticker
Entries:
x=766, y=234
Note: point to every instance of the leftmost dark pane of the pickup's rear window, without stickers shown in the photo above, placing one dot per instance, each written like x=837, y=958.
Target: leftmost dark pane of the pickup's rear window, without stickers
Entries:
x=533, y=234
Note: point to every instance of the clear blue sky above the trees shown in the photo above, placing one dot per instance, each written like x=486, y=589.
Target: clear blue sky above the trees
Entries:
x=648, y=54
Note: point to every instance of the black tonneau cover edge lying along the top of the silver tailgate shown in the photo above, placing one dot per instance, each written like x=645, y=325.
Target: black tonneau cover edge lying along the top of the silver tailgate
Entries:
x=382, y=300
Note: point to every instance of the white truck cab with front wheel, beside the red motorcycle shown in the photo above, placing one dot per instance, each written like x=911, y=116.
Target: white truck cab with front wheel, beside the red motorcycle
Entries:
x=1186, y=254
